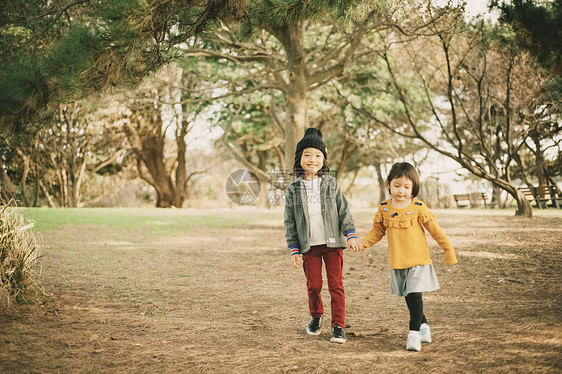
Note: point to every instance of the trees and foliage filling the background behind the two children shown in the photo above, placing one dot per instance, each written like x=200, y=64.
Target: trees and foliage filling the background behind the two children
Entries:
x=96, y=94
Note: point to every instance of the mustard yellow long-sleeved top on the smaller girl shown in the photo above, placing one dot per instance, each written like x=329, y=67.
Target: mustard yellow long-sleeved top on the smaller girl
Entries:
x=407, y=245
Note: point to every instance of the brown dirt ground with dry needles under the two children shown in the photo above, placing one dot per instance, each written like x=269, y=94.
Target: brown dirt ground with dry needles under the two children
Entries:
x=211, y=300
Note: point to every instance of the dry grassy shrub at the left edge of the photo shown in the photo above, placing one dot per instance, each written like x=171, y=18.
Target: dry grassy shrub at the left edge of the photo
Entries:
x=18, y=258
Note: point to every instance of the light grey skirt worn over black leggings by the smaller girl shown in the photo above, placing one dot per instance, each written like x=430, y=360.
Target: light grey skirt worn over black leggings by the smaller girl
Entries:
x=419, y=278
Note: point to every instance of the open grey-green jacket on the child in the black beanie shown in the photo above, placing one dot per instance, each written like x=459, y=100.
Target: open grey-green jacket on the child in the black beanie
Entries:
x=338, y=222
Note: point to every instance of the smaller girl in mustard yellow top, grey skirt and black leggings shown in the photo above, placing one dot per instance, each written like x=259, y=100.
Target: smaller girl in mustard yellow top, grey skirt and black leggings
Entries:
x=404, y=219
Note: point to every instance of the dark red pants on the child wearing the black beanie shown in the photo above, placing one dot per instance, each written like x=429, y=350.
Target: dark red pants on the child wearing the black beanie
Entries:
x=312, y=265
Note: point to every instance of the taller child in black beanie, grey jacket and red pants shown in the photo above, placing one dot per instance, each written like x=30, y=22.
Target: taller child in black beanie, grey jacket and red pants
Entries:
x=316, y=216
